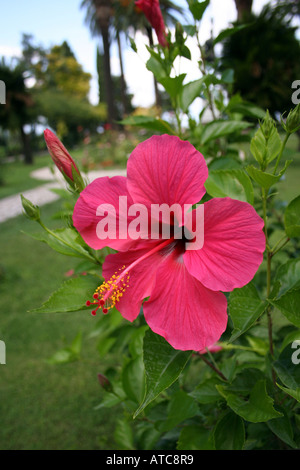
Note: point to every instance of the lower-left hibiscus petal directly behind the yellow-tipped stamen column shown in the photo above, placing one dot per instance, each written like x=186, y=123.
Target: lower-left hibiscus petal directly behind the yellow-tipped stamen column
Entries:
x=142, y=277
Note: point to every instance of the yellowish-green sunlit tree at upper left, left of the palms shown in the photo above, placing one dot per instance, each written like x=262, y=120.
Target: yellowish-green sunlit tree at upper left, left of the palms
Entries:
x=61, y=89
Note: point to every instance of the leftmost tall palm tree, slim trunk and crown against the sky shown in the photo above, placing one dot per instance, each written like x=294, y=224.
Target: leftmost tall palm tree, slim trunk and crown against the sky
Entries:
x=99, y=14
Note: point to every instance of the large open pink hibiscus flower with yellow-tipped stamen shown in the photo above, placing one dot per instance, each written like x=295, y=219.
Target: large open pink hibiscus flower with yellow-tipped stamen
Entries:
x=186, y=304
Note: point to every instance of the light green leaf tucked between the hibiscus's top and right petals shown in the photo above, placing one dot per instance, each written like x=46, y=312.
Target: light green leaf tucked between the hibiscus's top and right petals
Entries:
x=232, y=183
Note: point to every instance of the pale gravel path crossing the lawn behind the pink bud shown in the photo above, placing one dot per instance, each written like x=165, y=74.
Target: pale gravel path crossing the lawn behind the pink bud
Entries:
x=11, y=206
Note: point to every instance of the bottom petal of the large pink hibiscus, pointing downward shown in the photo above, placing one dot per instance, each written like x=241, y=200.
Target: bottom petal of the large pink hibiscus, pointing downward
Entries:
x=182, y=310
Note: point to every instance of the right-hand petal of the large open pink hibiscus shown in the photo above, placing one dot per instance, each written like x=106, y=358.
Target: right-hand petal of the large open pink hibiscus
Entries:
x=233, y=245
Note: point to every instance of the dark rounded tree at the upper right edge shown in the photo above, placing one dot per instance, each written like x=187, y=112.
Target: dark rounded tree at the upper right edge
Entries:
x=265, y=60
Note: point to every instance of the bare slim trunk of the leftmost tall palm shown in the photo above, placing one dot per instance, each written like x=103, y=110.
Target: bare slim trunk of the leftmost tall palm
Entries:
x=108, y=78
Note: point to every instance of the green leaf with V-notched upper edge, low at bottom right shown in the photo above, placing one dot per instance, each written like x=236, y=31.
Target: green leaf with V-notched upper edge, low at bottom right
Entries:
x=257, y=409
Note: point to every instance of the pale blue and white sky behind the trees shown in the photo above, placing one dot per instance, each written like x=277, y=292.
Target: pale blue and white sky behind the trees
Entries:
x=54, y=22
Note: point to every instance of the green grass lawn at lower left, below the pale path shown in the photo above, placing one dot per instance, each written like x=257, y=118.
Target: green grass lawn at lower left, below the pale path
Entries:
x=44, y=406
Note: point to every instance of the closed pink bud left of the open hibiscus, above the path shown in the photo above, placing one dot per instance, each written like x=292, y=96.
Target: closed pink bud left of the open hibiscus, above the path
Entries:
x=63, y=160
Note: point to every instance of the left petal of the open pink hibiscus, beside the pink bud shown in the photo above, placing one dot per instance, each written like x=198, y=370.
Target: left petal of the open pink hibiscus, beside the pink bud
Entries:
x=103, y=191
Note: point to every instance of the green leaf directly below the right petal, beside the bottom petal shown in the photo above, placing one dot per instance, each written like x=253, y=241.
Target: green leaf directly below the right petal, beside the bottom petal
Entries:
x=245, y=307
